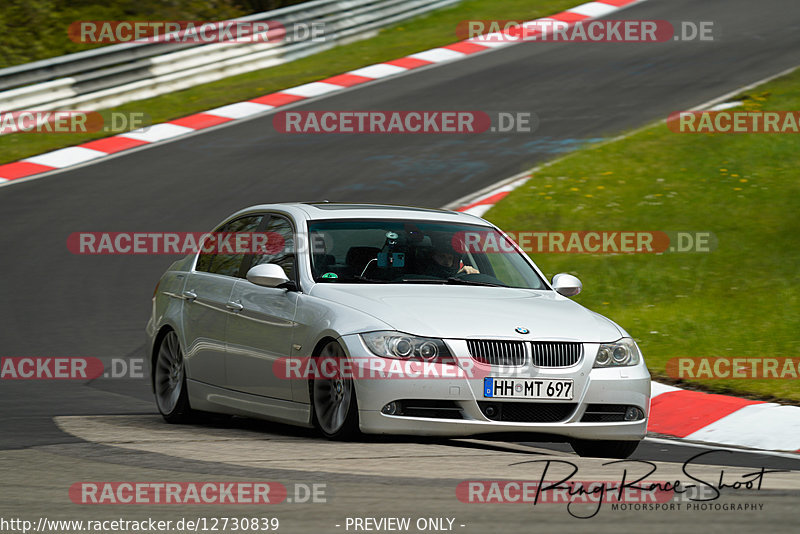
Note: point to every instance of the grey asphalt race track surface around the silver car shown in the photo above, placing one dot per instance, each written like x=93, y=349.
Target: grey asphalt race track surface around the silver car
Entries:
x=53, y=303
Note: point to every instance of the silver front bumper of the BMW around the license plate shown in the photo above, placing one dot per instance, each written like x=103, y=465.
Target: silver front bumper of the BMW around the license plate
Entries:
x=628, y=386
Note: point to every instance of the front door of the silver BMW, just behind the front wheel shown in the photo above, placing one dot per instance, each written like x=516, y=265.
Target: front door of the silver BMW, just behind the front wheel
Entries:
x=261, y=332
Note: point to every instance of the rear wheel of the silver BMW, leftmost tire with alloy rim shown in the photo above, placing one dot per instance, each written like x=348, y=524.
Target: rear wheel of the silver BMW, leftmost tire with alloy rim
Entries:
x=169, y=381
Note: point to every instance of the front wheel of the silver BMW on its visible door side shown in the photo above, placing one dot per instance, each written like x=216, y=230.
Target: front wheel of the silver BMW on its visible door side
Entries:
x=334, y=407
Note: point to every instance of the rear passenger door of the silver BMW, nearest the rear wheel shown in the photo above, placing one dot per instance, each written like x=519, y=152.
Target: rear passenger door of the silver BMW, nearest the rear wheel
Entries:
x=207, y=305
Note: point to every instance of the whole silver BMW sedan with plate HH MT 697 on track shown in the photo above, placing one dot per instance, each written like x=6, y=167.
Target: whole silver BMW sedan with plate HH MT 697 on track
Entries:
x=377, y=319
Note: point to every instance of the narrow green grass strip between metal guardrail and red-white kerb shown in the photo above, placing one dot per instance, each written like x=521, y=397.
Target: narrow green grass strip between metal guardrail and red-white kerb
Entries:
x=421, y=33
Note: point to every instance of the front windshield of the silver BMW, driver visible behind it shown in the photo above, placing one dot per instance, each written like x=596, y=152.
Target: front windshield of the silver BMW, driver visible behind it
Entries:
x=403, y=252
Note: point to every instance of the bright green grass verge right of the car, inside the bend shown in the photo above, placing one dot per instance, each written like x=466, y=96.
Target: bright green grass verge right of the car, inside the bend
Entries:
x=742, y=299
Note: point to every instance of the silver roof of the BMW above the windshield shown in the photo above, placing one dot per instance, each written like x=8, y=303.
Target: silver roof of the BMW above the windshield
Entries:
x=343, y=210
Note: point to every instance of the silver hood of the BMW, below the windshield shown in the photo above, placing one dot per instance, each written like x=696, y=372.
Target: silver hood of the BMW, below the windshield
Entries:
x=459, y=312
